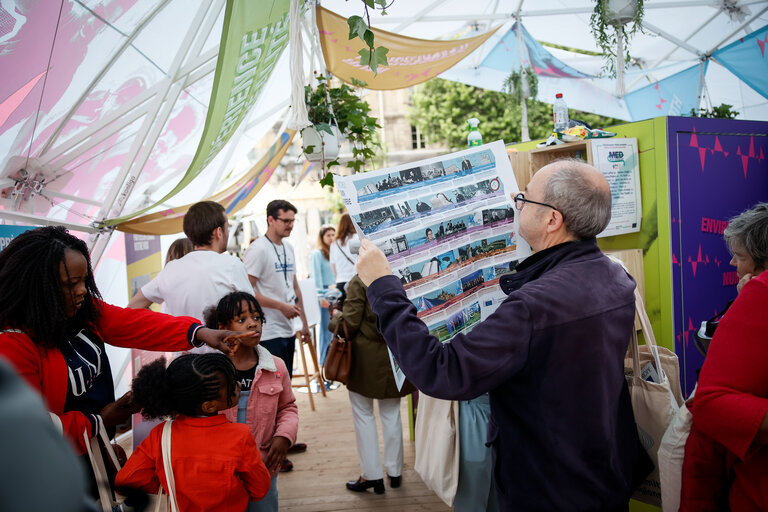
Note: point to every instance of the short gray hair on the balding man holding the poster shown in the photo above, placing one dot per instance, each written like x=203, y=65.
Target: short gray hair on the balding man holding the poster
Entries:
x=586, y=208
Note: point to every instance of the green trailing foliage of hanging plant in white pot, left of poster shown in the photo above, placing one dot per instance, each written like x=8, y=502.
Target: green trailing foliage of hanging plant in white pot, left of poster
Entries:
x=342, y=106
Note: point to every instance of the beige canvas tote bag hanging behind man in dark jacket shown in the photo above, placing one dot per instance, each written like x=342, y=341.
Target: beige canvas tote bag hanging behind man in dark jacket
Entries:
x=654, y=402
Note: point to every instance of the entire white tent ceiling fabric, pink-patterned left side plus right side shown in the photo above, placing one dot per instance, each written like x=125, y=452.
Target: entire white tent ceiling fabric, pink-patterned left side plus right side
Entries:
x=80, y=82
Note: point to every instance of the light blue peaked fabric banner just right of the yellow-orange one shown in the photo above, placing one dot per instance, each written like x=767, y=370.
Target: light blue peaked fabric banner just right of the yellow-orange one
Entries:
x=506, y=56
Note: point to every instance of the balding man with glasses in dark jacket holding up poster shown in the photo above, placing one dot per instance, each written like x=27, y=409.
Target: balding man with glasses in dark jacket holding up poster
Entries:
x=552, y=355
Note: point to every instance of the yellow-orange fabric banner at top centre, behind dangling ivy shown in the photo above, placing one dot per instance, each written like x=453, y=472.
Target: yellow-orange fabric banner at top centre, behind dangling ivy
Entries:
x=411, y=61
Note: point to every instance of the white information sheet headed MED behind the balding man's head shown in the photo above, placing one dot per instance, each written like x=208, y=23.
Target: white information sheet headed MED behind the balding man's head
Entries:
x=617, y=159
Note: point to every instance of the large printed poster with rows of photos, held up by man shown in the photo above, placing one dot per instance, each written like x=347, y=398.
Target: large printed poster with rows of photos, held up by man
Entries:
x=447, y=227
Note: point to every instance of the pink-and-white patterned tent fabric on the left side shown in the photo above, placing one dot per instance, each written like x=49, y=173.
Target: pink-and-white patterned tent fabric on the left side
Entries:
x=101, y=88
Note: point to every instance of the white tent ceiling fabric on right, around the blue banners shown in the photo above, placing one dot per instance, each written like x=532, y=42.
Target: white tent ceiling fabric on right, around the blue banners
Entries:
x=677, y=35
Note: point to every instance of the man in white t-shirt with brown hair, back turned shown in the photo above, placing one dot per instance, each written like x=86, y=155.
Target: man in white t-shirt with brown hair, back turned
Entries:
x=189, y=285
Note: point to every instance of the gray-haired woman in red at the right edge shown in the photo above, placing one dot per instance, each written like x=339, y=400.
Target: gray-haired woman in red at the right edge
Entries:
x=726, y=454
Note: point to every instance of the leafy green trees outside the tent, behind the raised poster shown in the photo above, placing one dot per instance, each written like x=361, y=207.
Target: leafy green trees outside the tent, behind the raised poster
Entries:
x=441, y=109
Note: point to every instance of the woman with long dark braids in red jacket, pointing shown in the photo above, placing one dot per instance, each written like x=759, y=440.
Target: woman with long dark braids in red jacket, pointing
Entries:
x=53, y=327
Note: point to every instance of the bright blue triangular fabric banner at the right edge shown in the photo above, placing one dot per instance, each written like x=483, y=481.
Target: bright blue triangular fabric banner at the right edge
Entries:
x=747, y=58
